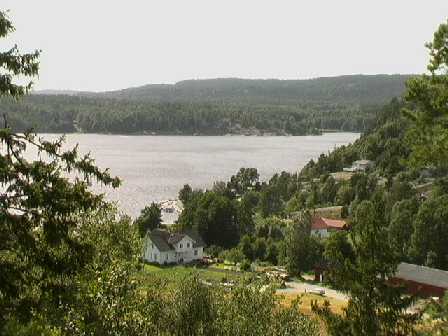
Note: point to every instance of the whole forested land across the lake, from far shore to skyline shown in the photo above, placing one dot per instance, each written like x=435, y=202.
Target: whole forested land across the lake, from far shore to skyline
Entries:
x=213, y=107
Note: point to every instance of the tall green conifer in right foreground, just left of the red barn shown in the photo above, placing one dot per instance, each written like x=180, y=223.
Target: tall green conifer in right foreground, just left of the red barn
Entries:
x=375, y=307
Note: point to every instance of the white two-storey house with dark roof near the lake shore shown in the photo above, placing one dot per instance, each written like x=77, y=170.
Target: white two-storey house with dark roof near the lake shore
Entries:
x=163, y=247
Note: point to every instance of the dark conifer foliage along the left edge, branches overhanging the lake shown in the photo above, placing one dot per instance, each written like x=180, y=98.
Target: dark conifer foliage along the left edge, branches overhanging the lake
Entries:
x=40, y=245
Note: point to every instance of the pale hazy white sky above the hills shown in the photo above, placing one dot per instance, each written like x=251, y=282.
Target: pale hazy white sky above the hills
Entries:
x=110, y=44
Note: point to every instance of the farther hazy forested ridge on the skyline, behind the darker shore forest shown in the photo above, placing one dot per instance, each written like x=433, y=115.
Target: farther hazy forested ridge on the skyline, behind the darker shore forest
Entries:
x=356, y=89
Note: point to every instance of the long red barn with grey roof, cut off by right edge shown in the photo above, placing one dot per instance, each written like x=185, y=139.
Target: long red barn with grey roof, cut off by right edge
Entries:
x=421, y=280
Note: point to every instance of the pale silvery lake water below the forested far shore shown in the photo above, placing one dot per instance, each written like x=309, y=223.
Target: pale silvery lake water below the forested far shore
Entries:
x=154, y=168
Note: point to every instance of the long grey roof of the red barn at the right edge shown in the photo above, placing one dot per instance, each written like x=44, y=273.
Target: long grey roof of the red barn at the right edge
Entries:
x=422, y=275
